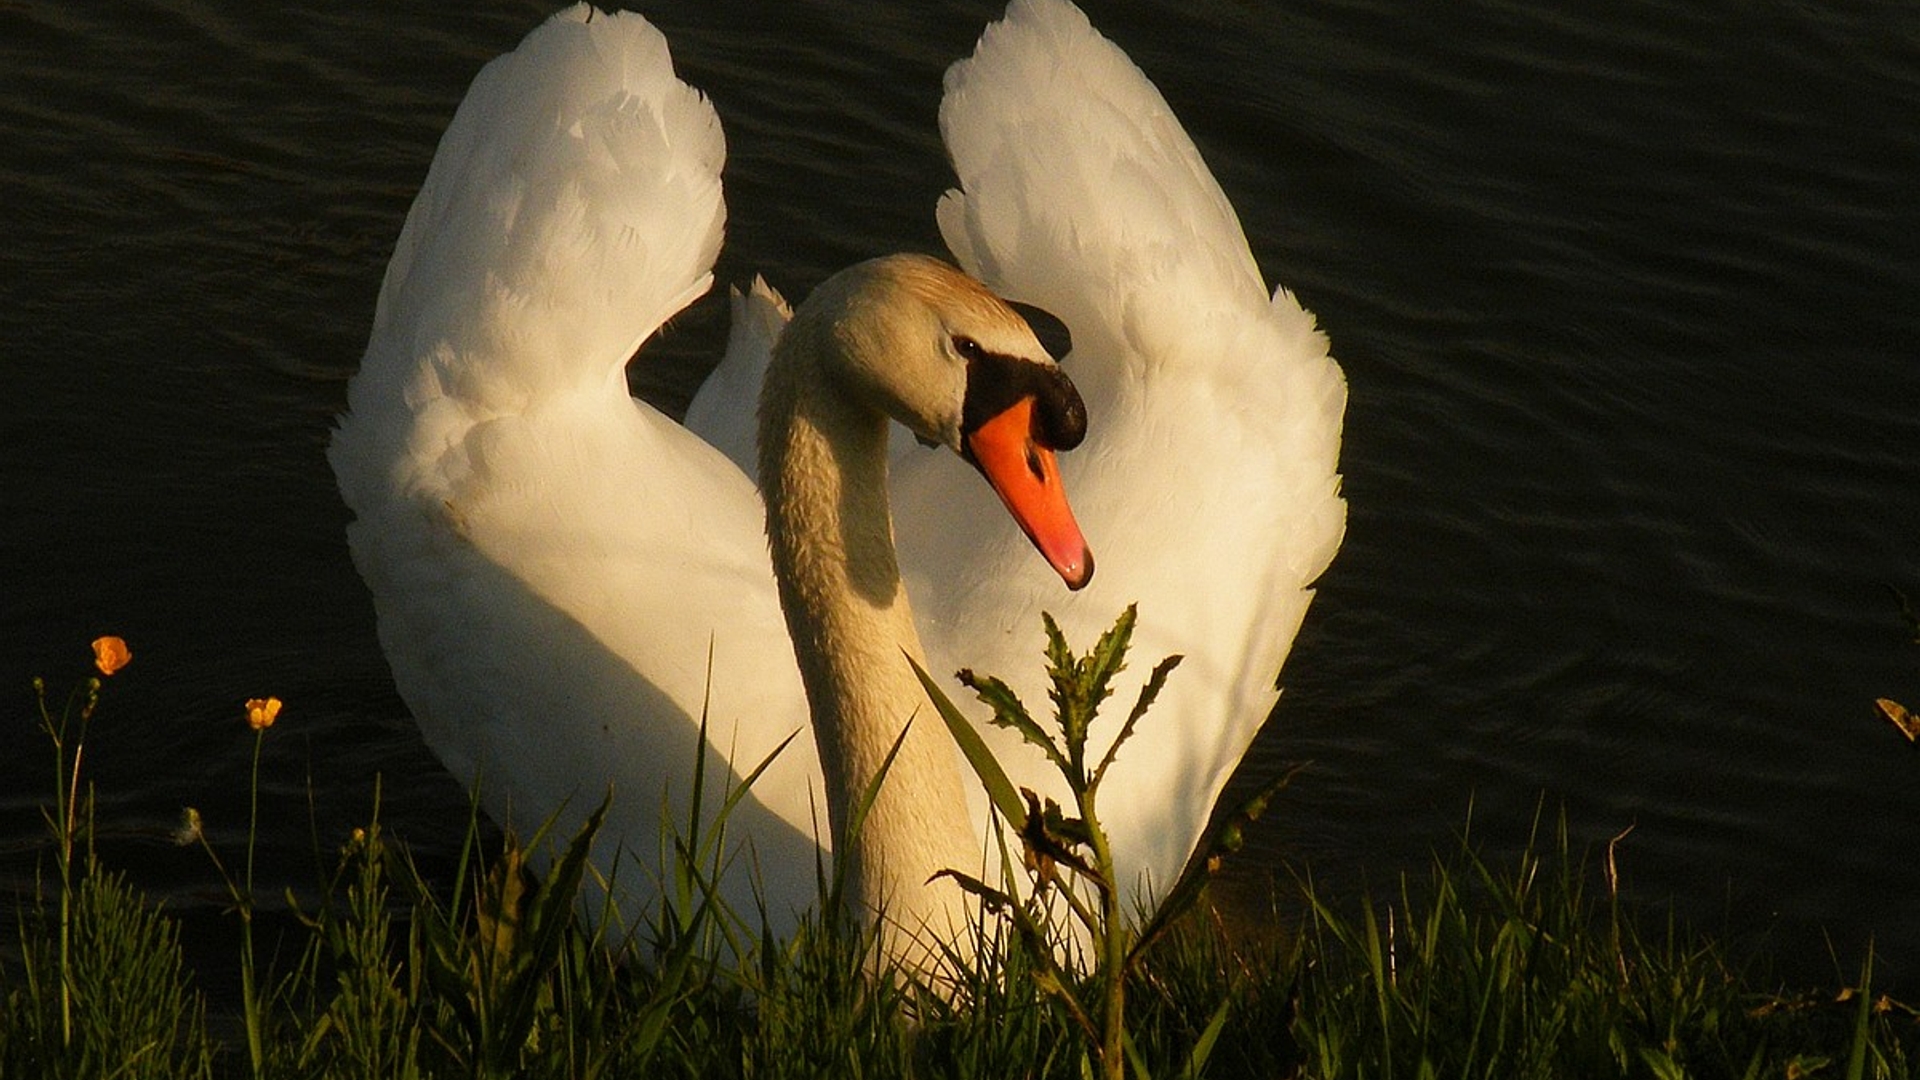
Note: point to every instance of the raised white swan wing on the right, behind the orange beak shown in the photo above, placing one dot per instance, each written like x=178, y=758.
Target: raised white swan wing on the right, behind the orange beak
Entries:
x=1209, y=478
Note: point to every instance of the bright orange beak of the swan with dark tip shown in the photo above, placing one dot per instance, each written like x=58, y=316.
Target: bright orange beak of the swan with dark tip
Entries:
x=1028, y=481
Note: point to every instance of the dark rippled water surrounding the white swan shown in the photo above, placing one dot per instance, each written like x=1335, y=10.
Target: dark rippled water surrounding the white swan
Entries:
x=1627, y=305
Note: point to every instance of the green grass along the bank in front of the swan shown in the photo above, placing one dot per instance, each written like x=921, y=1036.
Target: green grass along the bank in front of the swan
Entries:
x=1468, y=970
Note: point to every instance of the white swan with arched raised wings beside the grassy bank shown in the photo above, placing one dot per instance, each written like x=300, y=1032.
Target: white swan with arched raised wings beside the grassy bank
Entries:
x=567, y=581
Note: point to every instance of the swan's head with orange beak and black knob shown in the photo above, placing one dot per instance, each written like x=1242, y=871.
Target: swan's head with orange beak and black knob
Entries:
x=961, y=368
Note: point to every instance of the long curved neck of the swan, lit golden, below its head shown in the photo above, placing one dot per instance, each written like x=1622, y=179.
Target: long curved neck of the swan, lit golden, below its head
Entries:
x=830, y=535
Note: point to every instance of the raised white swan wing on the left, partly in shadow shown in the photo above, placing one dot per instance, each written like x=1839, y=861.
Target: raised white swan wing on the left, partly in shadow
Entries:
x=565, y=579
